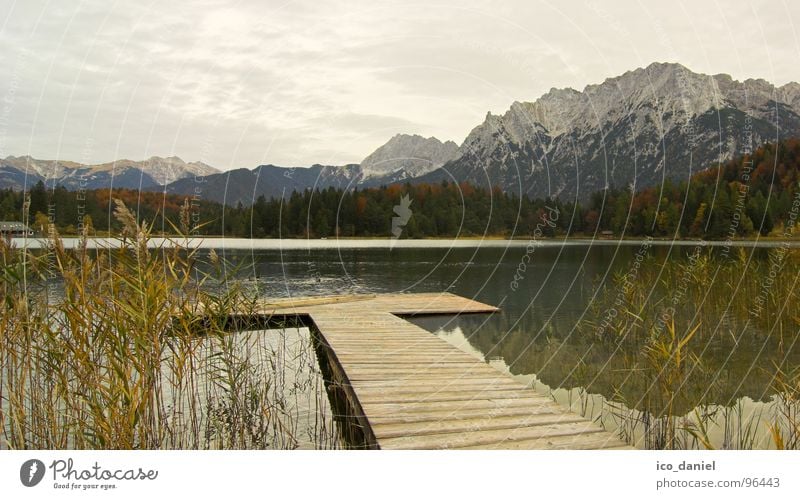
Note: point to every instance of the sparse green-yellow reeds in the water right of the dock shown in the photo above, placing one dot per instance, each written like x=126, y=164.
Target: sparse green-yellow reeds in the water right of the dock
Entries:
x=684, y=325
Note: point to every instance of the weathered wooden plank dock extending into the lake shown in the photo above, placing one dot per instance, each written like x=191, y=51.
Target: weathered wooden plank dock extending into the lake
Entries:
x=408, y=389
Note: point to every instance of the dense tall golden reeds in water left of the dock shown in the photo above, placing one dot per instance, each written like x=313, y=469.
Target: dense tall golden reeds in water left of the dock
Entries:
x=130, y=348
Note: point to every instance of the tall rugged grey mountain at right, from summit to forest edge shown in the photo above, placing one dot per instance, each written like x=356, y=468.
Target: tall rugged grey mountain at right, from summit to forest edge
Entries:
x=639, y=128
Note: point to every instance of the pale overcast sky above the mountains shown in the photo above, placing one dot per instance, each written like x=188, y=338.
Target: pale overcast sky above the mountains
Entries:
x=237, y=84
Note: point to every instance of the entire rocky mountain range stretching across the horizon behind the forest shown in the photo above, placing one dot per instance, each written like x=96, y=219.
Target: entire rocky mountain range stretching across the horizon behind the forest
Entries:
x=636, y=129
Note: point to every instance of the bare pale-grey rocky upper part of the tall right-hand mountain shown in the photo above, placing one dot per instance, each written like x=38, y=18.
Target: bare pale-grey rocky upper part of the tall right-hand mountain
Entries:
x=667, y=93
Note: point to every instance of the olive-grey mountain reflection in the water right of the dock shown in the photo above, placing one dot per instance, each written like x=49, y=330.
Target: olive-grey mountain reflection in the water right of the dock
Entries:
x=562, y=356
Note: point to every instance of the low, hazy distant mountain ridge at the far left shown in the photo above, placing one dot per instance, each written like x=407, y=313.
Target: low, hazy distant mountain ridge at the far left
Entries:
x=153, y=173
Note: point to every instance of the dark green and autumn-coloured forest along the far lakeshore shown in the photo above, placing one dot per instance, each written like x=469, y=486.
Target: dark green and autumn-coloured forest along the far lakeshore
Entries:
x=751, y=196
